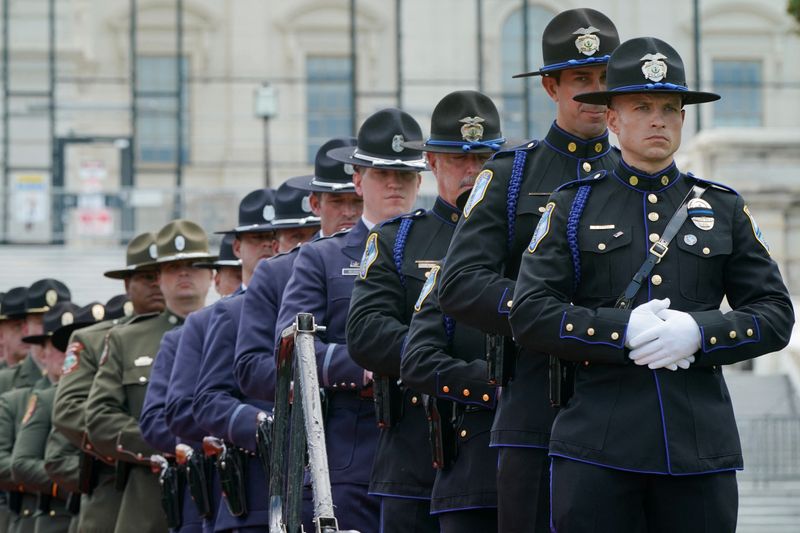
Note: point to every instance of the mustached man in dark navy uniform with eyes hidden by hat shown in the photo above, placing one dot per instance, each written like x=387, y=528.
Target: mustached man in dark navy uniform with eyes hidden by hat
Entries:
x=465, y=131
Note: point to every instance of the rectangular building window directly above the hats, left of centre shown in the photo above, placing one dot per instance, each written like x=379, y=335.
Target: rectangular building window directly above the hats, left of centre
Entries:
x=329, y=100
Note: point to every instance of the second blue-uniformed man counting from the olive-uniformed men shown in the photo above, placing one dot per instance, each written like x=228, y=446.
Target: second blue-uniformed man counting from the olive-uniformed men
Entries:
x=217, y=405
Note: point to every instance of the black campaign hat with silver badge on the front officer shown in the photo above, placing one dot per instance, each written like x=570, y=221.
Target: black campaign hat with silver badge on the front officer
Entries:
x=646, y=65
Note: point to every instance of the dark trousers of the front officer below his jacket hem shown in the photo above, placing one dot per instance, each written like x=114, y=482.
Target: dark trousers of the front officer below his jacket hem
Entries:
x=588, y=498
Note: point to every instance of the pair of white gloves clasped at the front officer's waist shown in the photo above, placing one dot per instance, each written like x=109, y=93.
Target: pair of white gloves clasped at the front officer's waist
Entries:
x=668, y=344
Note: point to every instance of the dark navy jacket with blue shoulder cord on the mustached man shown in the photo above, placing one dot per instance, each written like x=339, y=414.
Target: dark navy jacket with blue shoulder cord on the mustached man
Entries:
x=404, y=250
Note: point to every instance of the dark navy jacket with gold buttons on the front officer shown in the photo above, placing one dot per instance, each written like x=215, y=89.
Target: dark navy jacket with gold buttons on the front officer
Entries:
x=622, y=415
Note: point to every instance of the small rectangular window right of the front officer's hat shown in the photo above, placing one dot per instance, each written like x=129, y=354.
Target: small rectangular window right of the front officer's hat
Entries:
x=740, y=84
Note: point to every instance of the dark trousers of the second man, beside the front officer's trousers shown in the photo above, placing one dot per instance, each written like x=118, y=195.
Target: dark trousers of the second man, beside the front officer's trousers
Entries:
x=523, y=490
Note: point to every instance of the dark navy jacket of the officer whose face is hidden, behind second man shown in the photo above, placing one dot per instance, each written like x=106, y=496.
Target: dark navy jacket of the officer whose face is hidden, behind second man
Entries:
x=446, y=360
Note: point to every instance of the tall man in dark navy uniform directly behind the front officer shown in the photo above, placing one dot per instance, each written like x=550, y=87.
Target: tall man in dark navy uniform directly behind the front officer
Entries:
x=508, y=199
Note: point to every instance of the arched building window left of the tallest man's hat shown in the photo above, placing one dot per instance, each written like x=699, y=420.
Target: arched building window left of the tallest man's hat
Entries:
x=542, y=108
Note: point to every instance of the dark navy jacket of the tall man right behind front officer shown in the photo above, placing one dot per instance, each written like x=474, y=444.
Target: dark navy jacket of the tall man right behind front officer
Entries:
x=483, y=260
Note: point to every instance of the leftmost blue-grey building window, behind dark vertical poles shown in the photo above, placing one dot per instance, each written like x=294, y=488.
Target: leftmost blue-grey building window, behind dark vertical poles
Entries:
x=157, y=105
